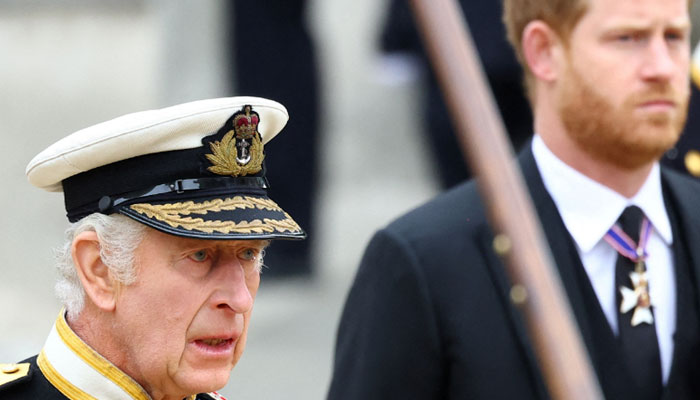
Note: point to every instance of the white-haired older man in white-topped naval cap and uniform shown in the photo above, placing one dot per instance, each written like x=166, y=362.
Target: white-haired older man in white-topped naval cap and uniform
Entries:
x=170, y=218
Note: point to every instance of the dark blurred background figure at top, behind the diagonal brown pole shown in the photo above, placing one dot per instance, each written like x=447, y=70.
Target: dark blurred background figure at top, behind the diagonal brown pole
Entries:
x=399, y=36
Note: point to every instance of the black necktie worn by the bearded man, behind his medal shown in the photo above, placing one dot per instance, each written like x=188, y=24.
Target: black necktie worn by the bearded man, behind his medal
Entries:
x=638, y=343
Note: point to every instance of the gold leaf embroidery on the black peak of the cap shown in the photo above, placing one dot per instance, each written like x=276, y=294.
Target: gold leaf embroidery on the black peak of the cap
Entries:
x=177, y=214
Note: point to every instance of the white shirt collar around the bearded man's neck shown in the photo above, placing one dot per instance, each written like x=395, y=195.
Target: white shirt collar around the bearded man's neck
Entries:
x=589, y=208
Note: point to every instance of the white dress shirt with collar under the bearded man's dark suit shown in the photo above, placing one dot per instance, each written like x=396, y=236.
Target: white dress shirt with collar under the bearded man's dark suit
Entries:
x=588, y=210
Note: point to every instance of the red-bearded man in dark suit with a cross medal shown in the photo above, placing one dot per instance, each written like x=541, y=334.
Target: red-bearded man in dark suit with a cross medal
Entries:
x=429, y=315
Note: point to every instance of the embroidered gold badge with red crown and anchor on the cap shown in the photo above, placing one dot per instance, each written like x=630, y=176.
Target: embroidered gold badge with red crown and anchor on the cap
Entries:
x=240, y=151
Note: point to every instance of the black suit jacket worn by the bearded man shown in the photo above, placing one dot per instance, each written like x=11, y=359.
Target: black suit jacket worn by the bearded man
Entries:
x=429, y=315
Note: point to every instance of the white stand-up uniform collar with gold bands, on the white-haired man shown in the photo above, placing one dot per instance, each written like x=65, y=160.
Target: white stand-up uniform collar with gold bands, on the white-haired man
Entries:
x=79, y=372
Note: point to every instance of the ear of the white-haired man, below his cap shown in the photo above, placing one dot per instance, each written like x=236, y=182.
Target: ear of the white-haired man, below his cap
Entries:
x=99, y=286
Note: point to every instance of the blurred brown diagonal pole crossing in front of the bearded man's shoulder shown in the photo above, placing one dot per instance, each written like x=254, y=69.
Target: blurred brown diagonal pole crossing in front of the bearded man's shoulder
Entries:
x=537, y=288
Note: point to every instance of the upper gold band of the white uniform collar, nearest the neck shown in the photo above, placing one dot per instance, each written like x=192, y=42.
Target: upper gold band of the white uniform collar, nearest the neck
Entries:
x=96, y=361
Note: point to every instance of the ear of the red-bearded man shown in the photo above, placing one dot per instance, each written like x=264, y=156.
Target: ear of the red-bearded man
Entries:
x=540, y=47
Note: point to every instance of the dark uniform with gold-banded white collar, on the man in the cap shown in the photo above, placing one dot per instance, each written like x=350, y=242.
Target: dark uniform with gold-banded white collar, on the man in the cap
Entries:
x=67, y=368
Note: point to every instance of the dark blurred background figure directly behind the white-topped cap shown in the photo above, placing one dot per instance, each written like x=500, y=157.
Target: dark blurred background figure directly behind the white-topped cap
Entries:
x=273, y=55
